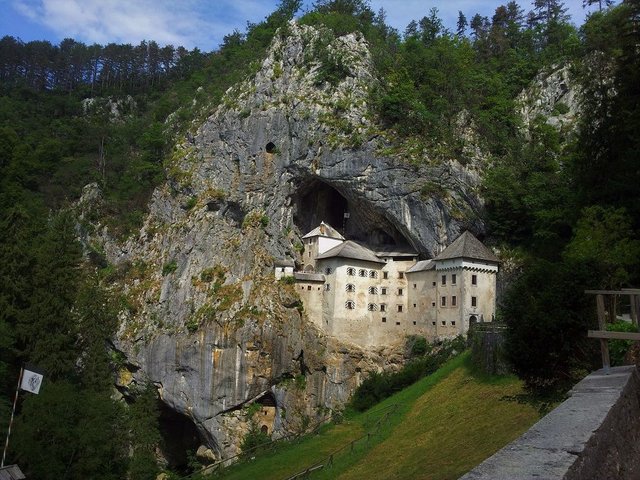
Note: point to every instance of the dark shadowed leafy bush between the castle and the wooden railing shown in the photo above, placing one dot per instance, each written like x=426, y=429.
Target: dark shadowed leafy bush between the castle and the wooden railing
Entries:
x=548, y=315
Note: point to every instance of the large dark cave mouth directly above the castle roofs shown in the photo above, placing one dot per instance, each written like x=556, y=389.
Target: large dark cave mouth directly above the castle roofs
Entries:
x=317, y=201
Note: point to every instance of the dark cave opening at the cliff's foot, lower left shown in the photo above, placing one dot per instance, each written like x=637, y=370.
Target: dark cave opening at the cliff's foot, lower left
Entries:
x=180, y=439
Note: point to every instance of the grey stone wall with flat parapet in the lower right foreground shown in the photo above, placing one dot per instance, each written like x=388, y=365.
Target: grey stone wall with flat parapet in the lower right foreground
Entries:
x=594, y=434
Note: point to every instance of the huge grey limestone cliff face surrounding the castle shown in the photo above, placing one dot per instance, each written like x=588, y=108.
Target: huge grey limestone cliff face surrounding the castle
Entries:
x=292, y=146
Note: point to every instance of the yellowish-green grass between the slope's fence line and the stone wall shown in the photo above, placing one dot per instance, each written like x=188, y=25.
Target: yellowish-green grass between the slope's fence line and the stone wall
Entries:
x=455, y=425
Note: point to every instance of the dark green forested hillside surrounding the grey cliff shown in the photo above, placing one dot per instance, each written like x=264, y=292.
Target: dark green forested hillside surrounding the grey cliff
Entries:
x=562, y=206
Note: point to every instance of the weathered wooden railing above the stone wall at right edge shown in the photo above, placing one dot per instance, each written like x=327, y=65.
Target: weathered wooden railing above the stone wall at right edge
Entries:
x=603, y=334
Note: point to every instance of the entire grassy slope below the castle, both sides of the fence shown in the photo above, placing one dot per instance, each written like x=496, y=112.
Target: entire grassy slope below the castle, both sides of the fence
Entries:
x=443, y=426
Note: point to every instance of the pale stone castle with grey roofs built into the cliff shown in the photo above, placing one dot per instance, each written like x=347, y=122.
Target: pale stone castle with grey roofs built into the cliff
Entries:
x=377, y=296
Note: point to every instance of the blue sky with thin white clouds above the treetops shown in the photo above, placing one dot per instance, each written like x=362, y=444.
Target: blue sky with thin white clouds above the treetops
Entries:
x=196, y=23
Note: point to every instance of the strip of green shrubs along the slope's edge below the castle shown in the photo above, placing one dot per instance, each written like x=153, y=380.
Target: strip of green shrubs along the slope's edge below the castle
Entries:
x=378, y=386
